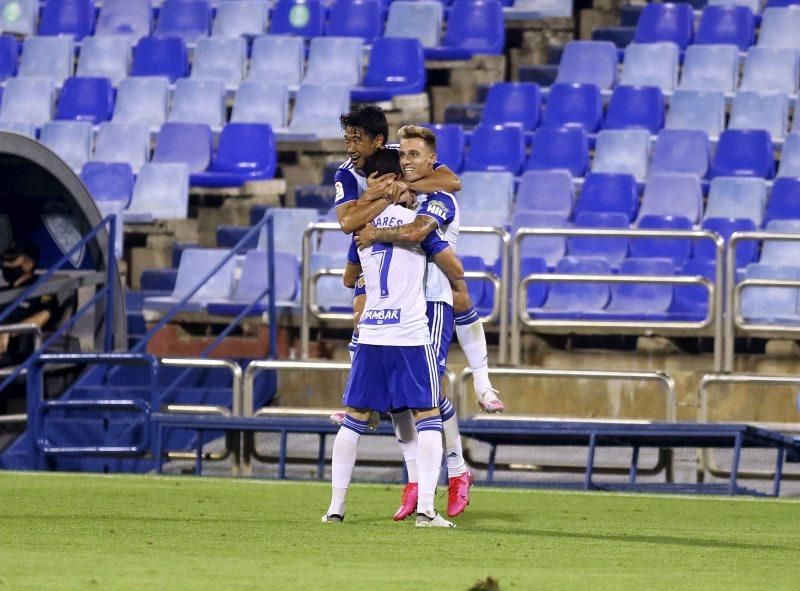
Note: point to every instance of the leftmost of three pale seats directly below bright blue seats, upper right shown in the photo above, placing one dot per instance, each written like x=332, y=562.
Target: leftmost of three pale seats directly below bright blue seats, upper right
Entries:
x=651, y=64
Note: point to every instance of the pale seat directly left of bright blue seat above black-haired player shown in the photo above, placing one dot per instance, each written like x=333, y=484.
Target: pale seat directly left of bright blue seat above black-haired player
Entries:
x=334, y=60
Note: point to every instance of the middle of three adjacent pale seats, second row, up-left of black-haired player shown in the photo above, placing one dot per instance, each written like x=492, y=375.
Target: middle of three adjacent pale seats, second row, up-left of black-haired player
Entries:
x=277, y=59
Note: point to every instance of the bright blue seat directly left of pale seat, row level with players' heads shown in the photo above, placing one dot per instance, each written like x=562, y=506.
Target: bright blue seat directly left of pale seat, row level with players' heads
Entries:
x=564, y=148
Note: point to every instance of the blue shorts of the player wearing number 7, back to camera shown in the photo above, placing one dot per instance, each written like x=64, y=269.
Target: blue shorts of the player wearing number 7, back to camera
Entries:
x=385, y=377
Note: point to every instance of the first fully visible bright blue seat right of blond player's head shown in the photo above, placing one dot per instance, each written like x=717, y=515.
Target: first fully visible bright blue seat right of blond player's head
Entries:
x=496, y=148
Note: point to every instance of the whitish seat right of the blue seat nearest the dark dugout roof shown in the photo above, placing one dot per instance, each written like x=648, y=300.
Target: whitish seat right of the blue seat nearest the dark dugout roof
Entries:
x=161, y=192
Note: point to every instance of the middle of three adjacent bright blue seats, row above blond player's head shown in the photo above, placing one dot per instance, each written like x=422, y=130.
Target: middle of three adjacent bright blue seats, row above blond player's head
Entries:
x=571, y=105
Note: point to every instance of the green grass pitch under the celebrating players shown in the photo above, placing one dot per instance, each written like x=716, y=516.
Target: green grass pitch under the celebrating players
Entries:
x=68, y=531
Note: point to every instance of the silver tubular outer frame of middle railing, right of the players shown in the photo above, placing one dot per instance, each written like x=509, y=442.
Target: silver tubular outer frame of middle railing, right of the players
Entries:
x=524, y=233
